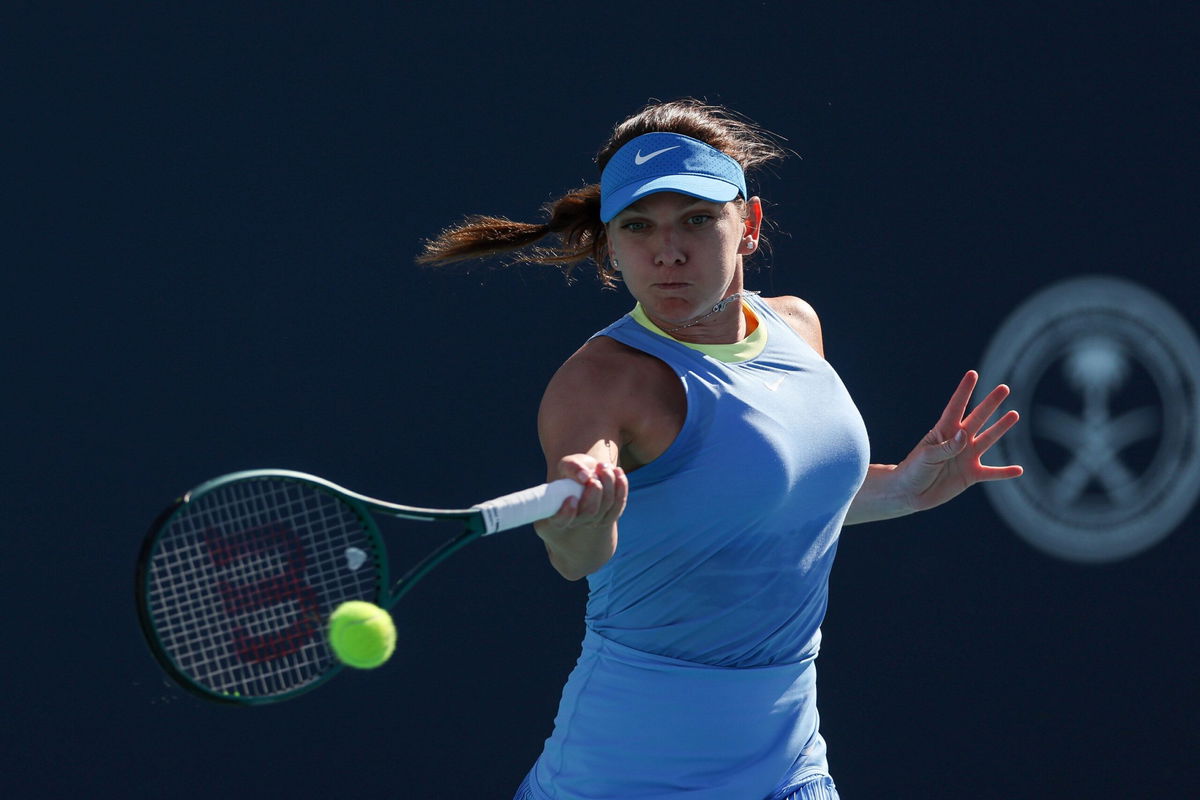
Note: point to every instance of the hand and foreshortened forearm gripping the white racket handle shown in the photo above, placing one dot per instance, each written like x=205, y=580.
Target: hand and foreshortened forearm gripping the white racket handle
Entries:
x=583, y=537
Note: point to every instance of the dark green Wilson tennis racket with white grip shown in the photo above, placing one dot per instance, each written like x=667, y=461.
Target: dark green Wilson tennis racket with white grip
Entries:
x=238, y=578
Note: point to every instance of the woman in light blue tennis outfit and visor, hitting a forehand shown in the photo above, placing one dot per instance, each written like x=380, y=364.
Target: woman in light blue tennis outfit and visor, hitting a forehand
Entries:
x=721, y=456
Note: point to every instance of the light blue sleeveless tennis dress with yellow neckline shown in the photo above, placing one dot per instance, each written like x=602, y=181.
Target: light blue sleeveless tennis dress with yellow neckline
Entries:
x=698, y=673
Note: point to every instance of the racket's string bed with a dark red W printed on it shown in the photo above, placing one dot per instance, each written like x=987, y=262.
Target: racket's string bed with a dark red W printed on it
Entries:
x=244, y=578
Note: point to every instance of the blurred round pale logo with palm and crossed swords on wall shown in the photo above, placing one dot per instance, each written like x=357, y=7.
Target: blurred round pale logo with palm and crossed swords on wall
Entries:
x=1106, y=375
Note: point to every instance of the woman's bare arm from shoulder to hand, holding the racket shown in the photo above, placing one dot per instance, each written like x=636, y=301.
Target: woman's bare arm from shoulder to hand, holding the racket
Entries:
x=584, y=426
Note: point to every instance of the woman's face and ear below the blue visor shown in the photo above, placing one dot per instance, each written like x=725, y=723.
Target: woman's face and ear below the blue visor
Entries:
x=680, y=255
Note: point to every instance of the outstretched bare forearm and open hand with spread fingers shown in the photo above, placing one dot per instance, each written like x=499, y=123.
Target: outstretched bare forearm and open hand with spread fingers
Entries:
x=944, y=465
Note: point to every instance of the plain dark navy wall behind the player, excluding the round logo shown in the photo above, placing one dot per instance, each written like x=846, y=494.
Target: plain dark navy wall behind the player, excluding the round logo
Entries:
x=211, y=269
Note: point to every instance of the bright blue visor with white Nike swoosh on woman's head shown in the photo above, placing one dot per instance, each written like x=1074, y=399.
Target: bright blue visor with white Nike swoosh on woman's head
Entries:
x=668, y=163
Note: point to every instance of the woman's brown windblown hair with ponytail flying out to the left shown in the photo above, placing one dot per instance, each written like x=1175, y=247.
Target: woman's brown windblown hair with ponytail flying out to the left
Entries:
x=574, y=220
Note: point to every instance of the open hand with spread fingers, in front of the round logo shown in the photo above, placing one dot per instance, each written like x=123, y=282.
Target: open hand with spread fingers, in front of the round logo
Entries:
x=946, y=462
